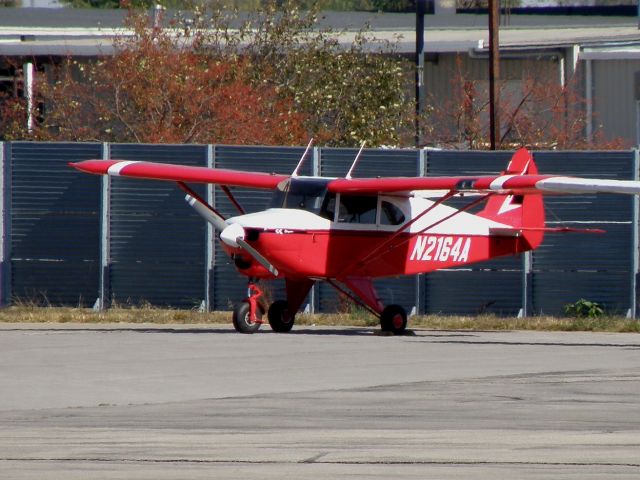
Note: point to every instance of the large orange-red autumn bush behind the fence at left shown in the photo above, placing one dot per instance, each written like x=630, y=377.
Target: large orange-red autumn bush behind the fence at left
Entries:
x=156, y=88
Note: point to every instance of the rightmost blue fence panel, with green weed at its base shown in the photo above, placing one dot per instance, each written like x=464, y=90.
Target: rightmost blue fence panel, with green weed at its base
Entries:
x=568, y=267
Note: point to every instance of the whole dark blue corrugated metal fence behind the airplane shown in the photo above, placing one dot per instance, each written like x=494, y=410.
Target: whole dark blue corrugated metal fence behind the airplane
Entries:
x=74, y=239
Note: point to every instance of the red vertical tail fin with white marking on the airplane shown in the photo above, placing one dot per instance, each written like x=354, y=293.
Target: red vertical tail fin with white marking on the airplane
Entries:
x=519, y=211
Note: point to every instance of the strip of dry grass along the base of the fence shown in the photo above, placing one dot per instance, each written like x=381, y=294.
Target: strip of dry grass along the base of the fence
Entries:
x=148, y=314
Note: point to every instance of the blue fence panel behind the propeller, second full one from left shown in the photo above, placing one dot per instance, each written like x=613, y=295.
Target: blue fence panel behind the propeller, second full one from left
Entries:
x=157, y=242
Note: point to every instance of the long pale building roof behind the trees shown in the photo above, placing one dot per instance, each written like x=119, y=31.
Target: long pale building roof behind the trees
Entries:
x=89, y=32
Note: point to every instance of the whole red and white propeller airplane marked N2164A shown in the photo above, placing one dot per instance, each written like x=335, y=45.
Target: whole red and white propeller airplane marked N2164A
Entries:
x=349, y=231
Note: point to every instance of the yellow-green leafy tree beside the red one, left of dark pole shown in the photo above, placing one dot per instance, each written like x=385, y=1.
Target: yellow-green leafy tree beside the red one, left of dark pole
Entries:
x=349, y=91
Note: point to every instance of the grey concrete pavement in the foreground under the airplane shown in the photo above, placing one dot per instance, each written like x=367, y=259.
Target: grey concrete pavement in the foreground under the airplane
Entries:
x=130, y=401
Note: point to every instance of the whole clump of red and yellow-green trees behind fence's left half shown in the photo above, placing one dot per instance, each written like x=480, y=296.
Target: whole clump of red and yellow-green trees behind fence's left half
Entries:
x=212, y=78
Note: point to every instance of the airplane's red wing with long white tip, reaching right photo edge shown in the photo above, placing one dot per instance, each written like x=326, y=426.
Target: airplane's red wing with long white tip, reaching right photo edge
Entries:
x=513, y=184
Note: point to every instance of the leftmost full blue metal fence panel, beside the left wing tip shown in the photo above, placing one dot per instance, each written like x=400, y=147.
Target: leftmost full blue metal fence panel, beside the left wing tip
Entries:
x=54, y=226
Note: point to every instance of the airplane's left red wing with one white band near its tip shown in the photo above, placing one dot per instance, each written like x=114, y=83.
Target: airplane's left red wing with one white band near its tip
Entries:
x=179, y=173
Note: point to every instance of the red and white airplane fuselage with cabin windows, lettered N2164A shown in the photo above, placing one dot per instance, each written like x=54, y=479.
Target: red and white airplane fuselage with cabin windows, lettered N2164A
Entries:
x=313, y=233
